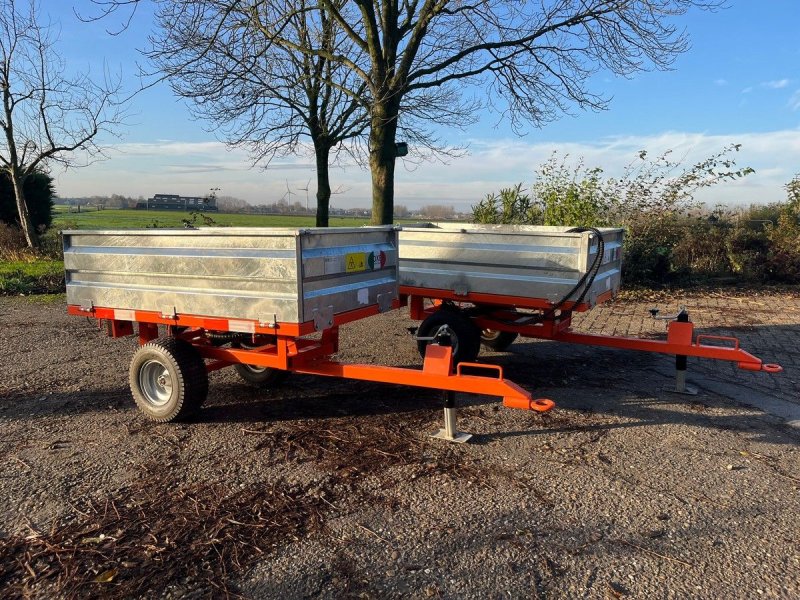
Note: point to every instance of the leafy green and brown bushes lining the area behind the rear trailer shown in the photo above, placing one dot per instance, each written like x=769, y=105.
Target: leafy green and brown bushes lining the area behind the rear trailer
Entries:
x=668, y=239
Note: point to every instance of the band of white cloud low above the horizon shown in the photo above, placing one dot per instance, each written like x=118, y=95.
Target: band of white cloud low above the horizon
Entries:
x=194, y=168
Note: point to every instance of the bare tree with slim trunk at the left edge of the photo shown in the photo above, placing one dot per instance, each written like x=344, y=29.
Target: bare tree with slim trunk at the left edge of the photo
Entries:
x=48, y=118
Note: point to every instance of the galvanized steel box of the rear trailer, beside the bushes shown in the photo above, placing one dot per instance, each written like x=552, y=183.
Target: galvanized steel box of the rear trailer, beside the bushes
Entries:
x=510, y=260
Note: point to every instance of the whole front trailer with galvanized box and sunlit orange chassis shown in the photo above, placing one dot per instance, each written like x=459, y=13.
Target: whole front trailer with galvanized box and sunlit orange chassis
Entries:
x=252, y=298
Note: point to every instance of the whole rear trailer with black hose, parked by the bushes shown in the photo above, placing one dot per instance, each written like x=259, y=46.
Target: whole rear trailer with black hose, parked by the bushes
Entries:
x=489, y=284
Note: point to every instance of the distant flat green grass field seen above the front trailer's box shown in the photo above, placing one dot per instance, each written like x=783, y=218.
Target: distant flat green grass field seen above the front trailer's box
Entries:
x=138, y=219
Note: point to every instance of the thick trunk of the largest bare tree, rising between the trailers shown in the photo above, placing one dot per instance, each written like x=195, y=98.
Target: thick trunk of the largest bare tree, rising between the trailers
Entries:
x=382, y=157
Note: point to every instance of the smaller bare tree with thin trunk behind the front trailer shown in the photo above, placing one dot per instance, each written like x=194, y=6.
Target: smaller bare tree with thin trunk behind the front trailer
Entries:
x=264, y=97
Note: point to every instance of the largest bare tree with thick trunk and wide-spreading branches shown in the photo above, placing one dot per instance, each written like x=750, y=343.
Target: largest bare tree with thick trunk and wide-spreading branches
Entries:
x=534, y=58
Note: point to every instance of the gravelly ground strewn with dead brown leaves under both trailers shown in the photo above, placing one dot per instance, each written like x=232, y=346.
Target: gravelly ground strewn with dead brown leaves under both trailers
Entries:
x=332, y=488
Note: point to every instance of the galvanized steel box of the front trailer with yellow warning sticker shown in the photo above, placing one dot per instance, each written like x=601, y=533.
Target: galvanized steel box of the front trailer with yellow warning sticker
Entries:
x=263, y=274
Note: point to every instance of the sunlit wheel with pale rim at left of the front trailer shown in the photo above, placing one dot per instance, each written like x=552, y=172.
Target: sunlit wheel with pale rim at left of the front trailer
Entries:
x=187, y=375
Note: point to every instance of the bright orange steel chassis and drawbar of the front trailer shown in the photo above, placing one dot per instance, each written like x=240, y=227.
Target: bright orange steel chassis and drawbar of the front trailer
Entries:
x=288, y=350
